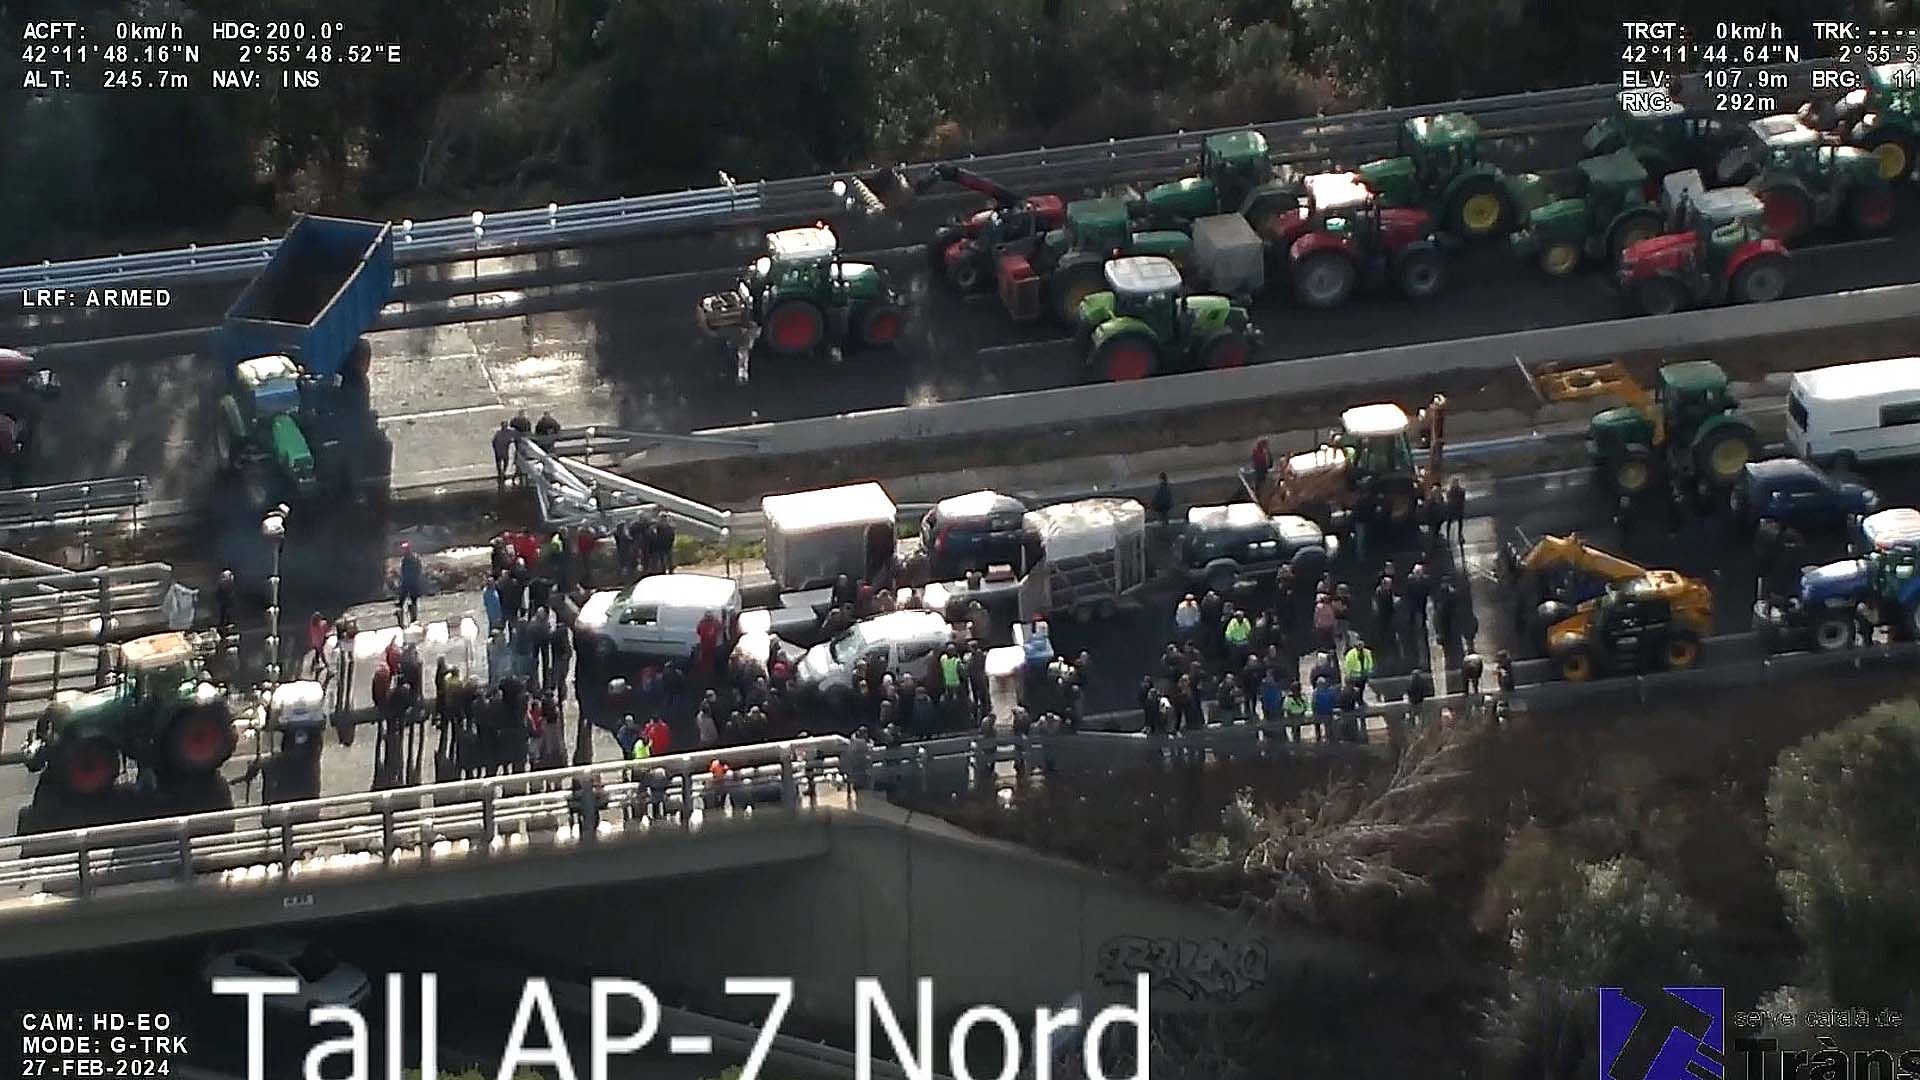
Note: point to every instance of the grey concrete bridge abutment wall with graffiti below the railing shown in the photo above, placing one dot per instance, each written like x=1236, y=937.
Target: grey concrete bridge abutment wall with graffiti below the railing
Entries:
x=901, y=898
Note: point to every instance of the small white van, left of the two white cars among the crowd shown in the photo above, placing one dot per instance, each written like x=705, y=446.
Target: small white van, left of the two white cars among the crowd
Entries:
x=660, y=616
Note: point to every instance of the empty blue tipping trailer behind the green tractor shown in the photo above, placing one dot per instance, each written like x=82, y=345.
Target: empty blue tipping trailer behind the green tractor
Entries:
x=324, y=287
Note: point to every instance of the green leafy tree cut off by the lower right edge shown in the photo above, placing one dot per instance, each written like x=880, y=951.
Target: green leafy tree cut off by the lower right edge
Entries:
x=1844, y=810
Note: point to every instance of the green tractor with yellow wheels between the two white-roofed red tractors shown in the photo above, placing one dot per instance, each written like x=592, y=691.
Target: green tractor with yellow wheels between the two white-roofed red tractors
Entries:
x=1608, y=214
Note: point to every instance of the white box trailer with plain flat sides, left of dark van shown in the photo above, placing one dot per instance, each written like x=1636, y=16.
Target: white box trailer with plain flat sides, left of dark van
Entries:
x=815, y=537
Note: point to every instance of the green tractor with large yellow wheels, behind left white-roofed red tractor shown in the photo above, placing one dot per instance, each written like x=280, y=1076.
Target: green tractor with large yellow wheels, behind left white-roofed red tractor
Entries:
x=1439, y=168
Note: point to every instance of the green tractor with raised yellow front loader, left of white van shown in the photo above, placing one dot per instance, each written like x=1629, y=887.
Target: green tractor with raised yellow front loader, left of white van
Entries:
x=1683, y=431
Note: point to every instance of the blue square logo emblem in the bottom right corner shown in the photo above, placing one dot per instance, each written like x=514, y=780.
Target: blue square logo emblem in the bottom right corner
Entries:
x=1675, y=1035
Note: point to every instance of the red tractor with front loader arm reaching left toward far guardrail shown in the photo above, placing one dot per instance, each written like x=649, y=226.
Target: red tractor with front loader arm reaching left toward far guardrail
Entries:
x=969, y=251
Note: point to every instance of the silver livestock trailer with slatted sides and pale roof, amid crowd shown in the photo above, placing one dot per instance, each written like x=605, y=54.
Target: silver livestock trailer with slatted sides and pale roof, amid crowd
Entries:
x=1093, y=554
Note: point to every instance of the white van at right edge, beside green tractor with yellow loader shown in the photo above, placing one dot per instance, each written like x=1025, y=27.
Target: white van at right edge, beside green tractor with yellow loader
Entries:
x=1856, y=412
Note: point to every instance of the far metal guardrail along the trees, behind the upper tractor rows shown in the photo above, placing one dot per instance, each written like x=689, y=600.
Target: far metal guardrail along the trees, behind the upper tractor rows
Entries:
x=554, y=226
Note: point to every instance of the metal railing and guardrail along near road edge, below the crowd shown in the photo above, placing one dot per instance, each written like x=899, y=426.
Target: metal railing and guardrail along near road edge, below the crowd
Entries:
x=602, y=802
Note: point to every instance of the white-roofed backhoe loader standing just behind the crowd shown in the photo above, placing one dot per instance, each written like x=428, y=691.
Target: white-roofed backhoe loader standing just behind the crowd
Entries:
x=1370, y=468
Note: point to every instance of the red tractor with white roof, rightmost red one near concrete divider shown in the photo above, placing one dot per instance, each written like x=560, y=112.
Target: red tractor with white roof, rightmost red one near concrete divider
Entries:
x=1717, y=253
